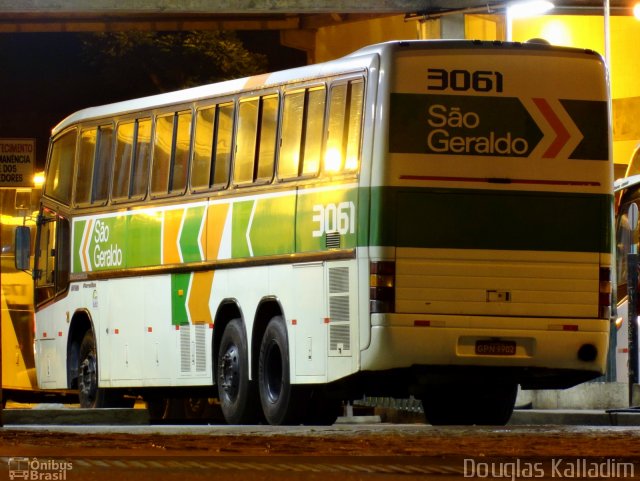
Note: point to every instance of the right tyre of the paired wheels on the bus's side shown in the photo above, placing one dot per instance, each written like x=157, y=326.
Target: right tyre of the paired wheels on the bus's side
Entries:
x=282, y=403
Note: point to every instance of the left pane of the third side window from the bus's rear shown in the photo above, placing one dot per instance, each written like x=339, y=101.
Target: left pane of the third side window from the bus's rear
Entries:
x=246, y=142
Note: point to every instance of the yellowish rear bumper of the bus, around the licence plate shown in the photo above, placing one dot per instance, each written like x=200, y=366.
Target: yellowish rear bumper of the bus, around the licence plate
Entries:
x=400, y=341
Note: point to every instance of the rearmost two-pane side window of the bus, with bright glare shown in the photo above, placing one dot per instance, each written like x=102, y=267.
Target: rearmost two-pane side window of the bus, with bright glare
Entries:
x=345, y=125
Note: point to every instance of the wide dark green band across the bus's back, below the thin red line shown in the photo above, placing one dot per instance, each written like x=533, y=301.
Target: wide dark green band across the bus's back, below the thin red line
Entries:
x=480, y=219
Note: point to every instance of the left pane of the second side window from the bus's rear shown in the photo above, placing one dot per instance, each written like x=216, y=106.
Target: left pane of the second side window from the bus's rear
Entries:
x=292, y=116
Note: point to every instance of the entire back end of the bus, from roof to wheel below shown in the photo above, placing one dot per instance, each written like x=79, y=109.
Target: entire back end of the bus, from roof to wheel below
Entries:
x=491, y=219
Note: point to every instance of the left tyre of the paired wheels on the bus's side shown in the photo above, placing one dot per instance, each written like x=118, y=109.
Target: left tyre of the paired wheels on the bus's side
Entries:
x=238, y=396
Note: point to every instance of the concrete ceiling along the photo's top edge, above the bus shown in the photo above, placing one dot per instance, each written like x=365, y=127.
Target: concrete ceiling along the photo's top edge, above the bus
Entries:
x=105, y=15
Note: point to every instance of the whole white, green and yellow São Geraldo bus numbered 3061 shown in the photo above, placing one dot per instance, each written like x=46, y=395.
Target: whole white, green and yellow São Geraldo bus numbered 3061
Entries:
x=417, y=218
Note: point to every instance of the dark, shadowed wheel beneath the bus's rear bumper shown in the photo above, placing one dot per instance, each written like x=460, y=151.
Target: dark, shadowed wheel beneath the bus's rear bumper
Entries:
x=490, y=404
